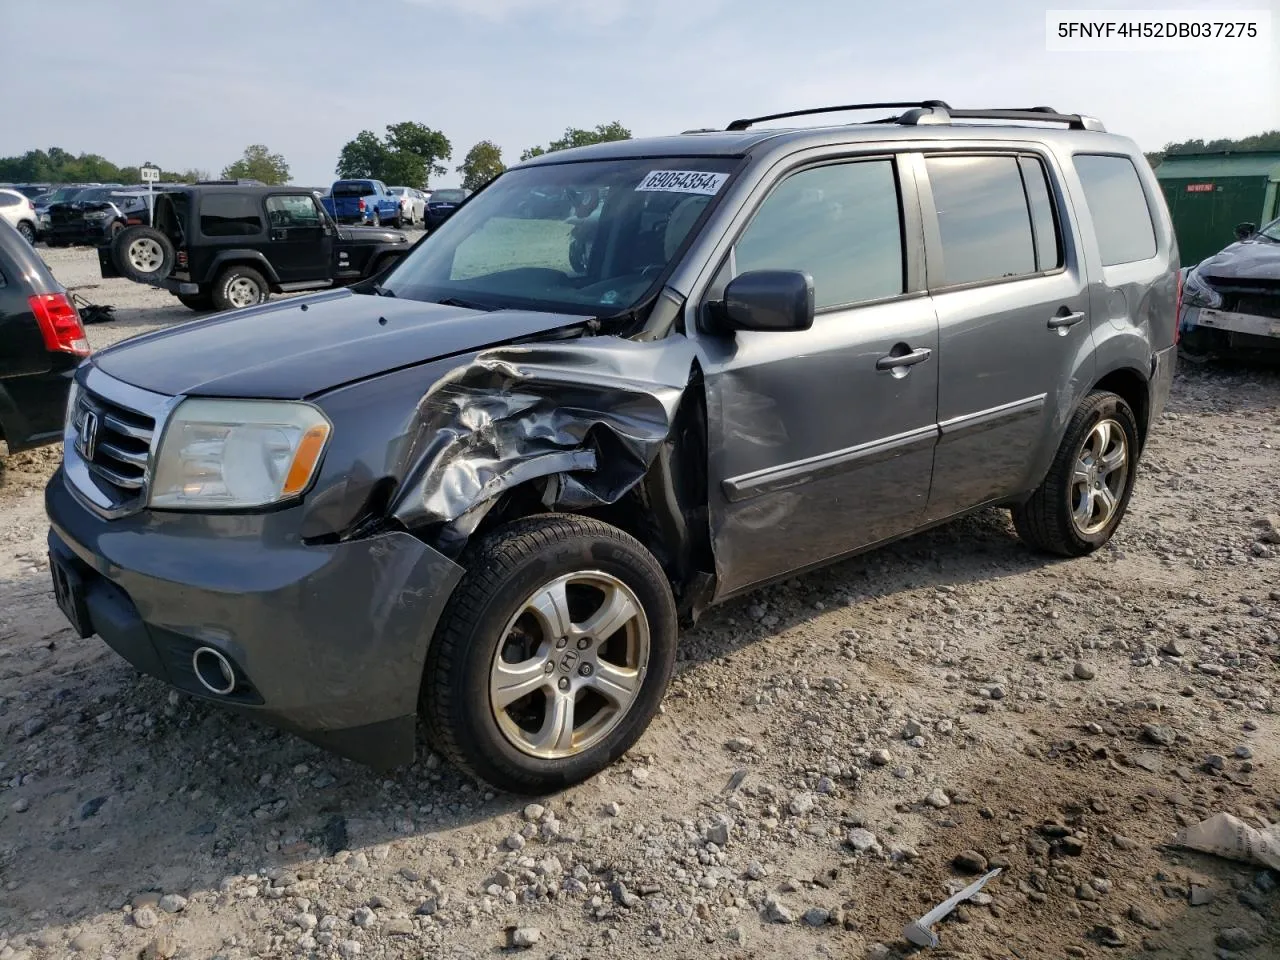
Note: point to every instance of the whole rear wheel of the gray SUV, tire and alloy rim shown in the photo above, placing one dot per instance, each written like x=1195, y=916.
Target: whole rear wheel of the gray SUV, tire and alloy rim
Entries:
x=1086, y=493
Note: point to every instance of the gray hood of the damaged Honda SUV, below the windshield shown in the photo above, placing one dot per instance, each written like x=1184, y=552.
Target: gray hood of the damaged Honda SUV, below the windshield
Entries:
x=301, y=348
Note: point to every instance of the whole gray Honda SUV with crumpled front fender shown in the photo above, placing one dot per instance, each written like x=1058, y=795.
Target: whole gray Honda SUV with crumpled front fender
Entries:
x=620, y=385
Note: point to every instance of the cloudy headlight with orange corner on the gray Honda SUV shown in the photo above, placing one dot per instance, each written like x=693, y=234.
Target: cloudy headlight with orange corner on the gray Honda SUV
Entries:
x=228, y=454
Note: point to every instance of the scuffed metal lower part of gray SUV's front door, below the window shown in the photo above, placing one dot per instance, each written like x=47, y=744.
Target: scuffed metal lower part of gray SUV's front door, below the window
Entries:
x=817, y=451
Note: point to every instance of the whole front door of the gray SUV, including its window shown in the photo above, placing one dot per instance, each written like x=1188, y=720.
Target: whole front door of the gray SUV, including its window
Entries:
x=819, y=445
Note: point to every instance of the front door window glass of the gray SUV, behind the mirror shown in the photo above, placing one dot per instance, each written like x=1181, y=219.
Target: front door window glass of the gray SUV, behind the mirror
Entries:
x=842, y=225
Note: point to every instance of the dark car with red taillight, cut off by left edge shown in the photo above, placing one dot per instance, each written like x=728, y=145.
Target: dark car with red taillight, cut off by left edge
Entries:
x=42, y=344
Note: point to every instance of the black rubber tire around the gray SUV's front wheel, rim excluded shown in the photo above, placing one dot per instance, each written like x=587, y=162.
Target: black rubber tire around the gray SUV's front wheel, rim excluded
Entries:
x=505, y=569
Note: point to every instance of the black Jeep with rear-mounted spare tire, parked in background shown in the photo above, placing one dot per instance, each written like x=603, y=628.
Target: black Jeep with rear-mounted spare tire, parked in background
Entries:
x=228, y=246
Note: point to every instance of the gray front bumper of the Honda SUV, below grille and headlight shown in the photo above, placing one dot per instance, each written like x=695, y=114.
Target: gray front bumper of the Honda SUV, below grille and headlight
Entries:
x=328, y=642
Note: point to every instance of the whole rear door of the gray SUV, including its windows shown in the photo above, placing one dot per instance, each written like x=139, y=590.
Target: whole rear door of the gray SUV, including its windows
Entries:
x=1013, y=350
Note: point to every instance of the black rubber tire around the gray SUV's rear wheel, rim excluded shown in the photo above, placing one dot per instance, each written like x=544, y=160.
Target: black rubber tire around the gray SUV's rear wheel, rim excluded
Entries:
x=1046, y=520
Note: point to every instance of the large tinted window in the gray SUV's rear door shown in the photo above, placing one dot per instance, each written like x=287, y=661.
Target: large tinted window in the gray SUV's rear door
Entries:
x=984, y=218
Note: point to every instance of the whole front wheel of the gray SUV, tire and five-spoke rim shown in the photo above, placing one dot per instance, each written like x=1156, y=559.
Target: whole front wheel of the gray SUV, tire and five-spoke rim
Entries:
x=552, y=656
